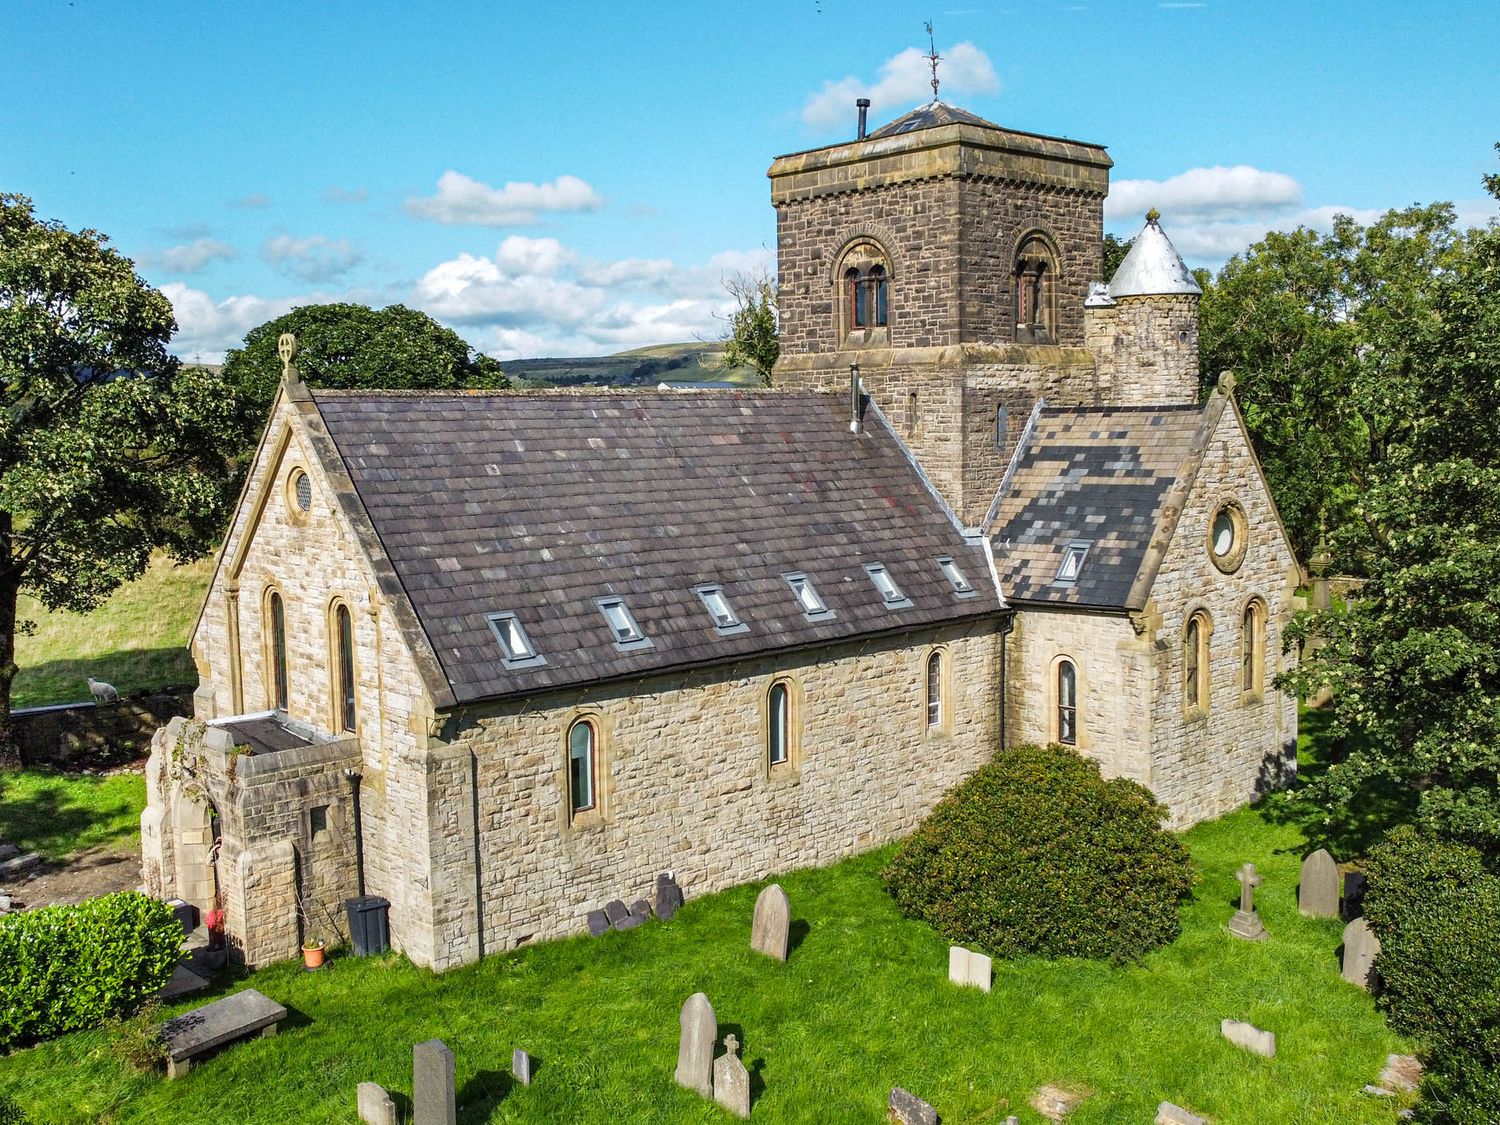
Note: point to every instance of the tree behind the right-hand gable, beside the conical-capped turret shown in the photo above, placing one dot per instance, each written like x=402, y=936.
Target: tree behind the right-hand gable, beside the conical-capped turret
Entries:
x=1321, y=332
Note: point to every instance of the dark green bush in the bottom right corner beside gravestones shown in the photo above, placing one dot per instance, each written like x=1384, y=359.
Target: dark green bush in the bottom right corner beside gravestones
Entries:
x=1436, y=908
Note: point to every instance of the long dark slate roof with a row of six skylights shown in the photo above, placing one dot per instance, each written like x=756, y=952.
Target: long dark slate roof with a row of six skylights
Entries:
x=539, y=503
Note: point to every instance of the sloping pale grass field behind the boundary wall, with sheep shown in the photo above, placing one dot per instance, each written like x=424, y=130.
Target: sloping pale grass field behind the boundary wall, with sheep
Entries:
x=136, y=641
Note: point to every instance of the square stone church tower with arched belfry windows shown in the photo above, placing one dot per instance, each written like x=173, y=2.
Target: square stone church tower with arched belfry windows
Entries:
x=950, y=260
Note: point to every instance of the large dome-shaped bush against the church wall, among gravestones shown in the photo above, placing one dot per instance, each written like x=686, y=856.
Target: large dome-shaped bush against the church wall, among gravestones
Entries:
x=1039, y=854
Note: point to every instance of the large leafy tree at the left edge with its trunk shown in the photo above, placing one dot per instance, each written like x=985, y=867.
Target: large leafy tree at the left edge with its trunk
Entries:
x=107, y=449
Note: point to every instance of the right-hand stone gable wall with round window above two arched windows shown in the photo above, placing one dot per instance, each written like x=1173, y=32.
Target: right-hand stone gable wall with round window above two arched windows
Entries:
x=1243, y=746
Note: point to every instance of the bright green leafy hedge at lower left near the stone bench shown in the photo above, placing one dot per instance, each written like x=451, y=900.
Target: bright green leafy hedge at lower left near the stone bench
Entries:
x=65, y=968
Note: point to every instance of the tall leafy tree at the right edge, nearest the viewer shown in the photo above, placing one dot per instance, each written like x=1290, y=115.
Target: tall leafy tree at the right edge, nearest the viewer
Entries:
x=1415, y=661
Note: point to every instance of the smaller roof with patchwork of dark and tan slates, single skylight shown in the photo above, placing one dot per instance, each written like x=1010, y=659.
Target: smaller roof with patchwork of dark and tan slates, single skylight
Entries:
x=1114, y=479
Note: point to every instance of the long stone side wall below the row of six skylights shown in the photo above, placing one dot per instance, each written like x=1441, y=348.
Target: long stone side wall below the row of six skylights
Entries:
x=686, y=788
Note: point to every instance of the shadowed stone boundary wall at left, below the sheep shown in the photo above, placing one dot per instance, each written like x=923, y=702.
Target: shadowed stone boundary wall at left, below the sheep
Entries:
x=95, y=736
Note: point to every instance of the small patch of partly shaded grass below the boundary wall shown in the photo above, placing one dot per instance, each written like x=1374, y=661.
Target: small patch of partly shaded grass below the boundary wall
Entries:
x=62, y=814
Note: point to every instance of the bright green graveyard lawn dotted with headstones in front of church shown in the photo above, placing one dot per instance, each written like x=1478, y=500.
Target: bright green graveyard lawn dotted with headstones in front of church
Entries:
x=862, y=1006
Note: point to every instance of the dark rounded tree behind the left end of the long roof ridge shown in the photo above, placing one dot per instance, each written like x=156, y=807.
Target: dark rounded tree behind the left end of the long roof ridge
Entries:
x=358, y=347
